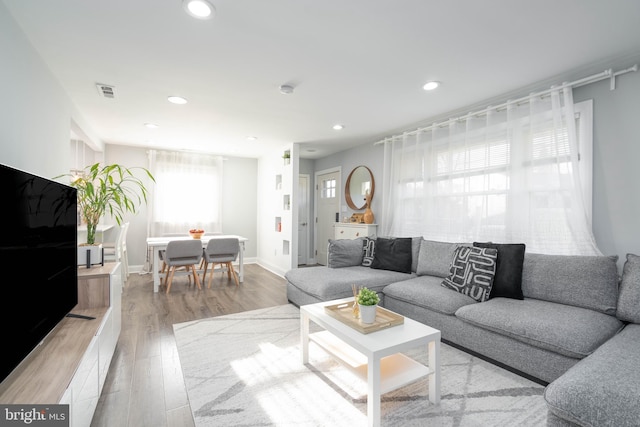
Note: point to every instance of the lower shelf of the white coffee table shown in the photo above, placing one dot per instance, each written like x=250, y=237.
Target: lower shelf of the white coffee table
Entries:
x=396, y=370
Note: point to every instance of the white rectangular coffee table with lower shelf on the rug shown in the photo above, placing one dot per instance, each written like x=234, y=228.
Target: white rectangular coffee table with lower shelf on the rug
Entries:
x=378, y=359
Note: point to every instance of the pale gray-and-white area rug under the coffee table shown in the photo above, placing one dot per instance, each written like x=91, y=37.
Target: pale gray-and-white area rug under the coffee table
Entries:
x=245, y=369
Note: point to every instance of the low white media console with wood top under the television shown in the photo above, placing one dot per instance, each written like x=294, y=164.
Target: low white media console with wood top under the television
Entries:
x=71, y=364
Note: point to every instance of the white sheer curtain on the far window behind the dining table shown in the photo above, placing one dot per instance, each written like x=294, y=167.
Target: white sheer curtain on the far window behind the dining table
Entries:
x=187, y=193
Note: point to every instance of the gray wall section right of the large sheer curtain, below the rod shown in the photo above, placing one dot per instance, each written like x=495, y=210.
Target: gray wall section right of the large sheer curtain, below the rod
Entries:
x=616, y=155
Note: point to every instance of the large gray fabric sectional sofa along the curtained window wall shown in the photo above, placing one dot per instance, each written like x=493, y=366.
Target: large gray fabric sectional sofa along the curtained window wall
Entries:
x=571, y=323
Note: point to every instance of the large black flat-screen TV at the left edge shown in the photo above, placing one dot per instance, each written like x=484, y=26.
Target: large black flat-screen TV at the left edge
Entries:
x=38, y=254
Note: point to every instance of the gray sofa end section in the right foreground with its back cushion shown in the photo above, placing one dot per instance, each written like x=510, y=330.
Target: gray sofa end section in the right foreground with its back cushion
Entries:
x=602, y=389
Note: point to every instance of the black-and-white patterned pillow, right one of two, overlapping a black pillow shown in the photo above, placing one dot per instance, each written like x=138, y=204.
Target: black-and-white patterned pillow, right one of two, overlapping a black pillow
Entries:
x=472, y=271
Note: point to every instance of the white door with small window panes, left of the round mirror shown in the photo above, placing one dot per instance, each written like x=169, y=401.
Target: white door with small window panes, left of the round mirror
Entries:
x=328, y=209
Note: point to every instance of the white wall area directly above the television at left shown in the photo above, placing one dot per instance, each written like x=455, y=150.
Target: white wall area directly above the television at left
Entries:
x=35, y=112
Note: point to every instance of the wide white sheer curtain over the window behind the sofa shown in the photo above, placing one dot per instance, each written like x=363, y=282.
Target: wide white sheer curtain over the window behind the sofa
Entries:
x=507, y=176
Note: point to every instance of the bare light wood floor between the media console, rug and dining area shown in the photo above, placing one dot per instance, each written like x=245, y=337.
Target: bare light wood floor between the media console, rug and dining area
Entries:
x=145, y=386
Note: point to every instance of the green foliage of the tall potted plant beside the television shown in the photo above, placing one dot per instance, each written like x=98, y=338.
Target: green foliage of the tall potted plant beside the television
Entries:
x=112, y=189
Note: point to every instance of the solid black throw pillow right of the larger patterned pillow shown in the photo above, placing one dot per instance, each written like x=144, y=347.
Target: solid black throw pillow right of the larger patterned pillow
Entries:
x=508, y=280
